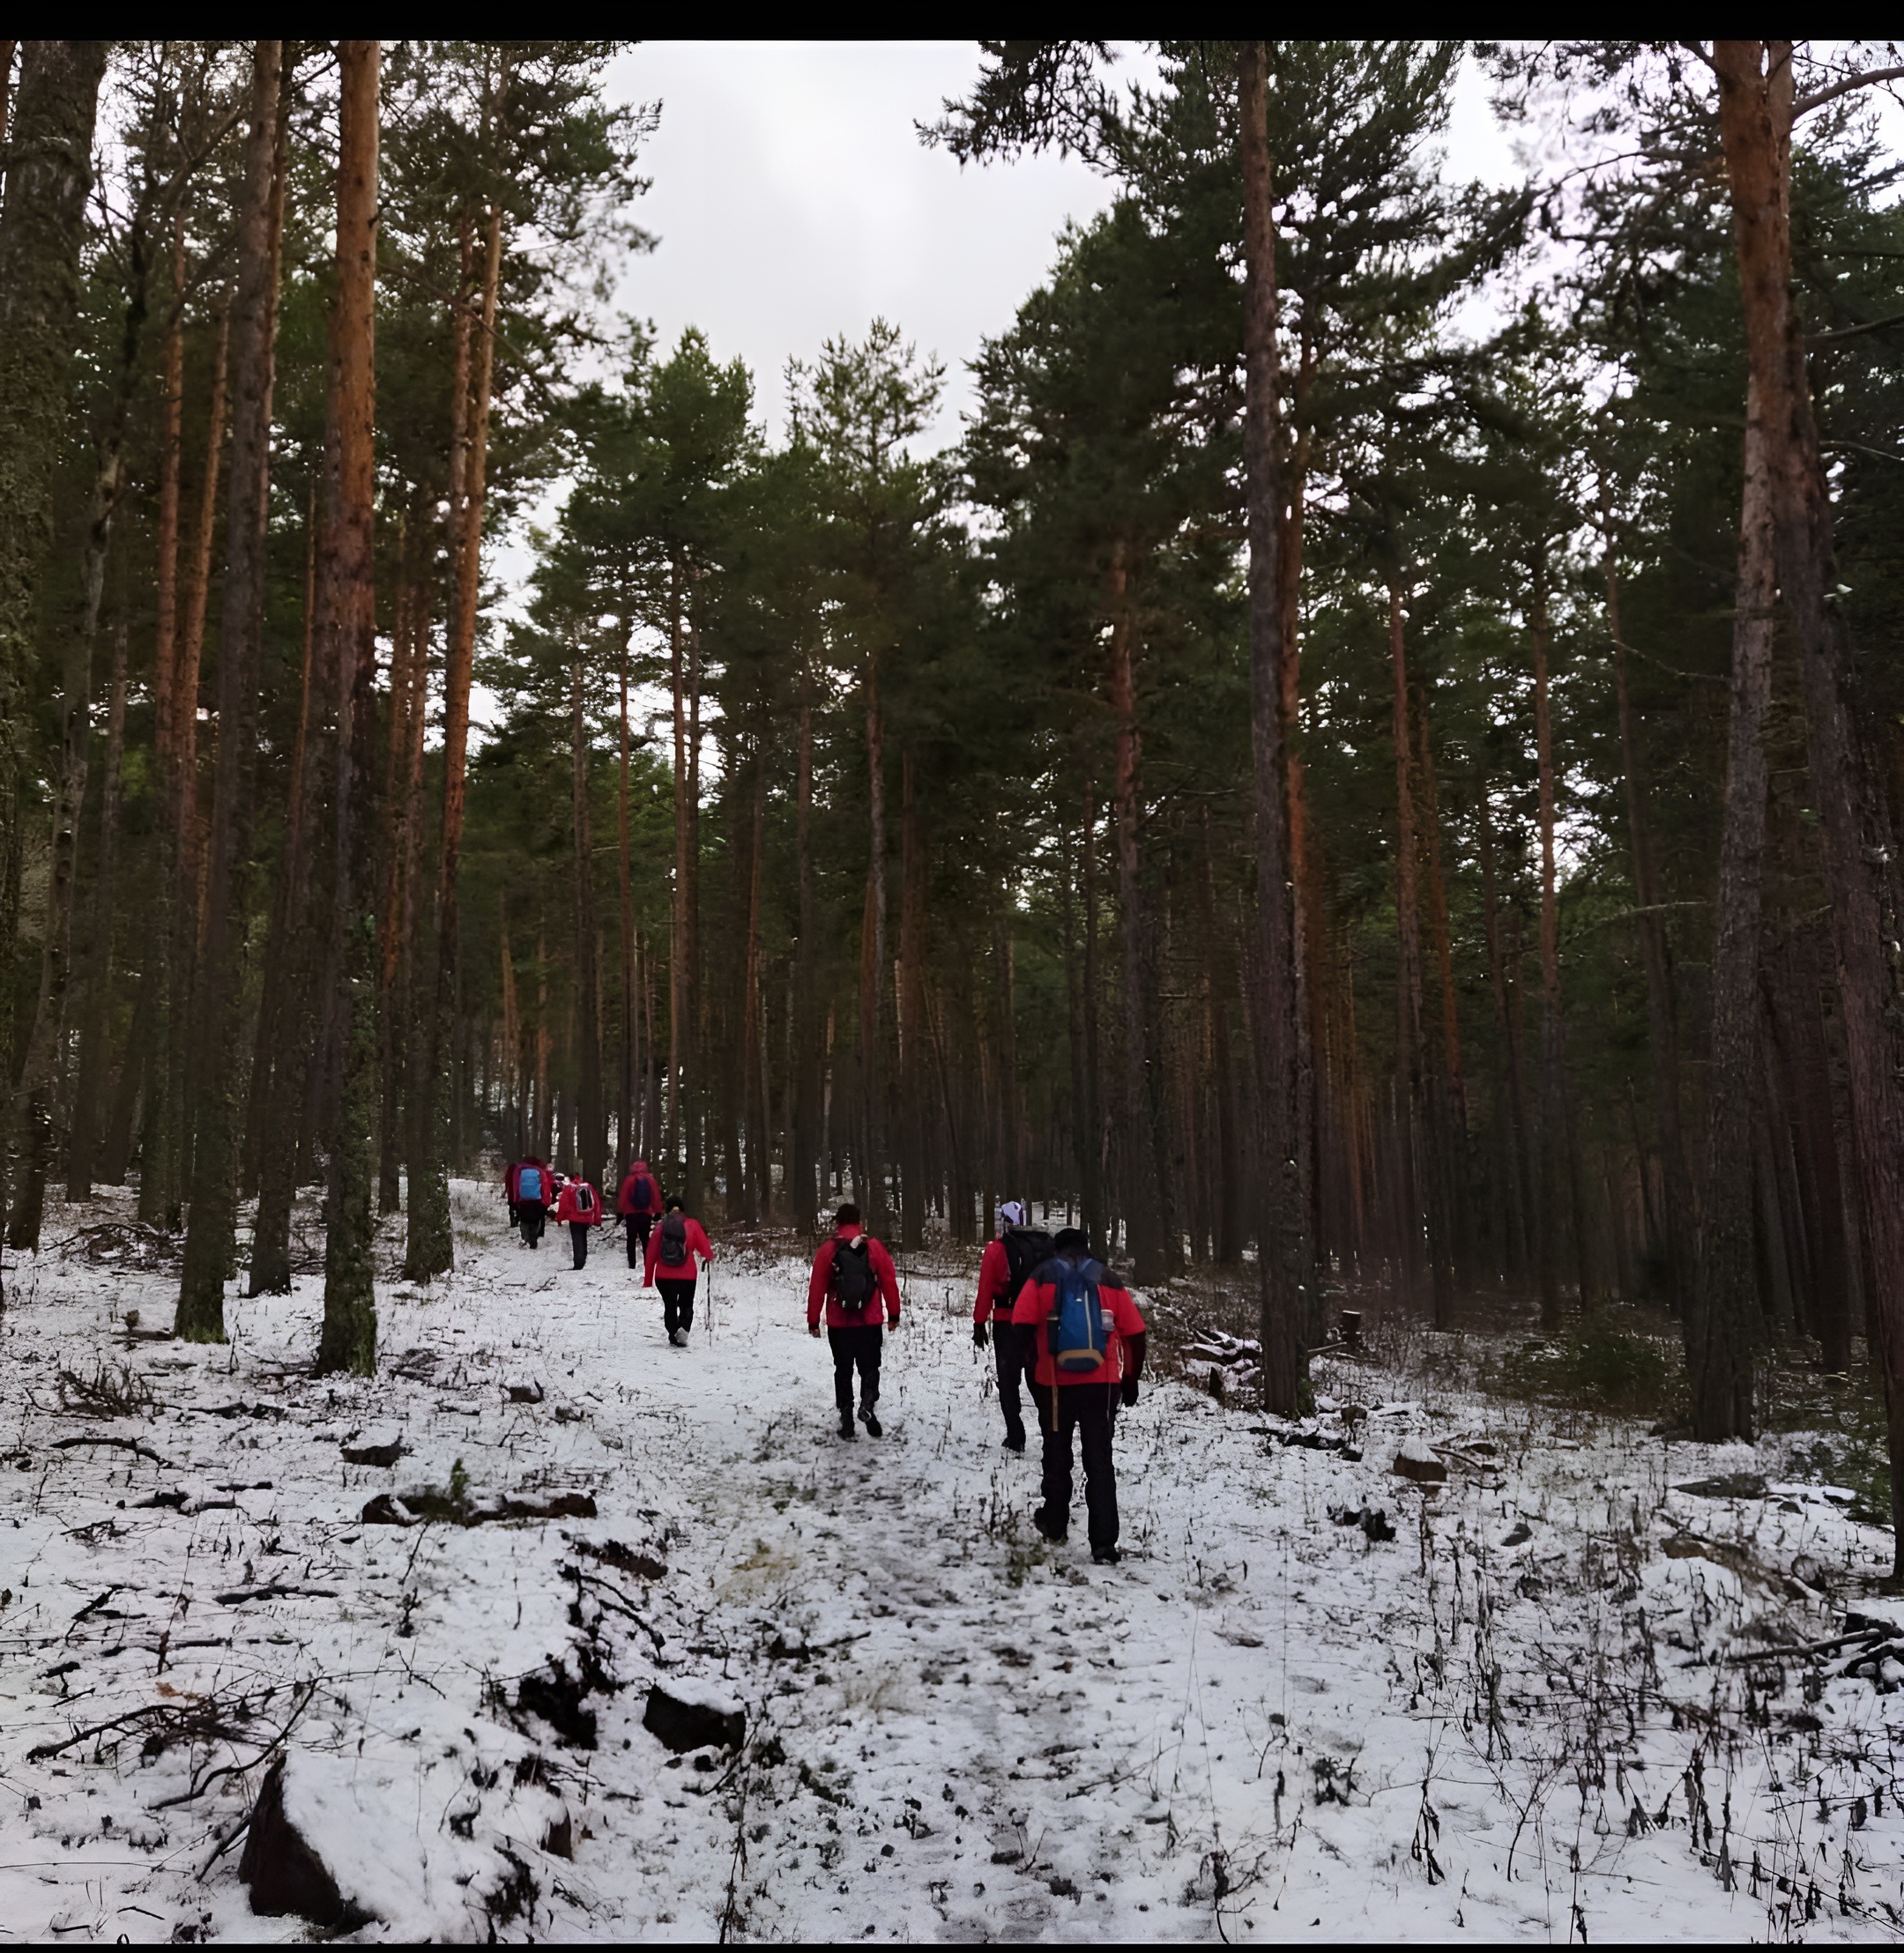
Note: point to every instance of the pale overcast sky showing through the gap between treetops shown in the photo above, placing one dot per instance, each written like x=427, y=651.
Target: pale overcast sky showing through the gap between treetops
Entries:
x=794, y=202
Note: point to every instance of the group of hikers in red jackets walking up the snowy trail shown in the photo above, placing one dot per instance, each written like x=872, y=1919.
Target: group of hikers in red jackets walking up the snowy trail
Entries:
x=1063, y=1329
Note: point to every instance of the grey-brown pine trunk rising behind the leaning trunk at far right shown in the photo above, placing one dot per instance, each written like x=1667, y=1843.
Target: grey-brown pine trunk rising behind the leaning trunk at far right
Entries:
x=1721, y=1327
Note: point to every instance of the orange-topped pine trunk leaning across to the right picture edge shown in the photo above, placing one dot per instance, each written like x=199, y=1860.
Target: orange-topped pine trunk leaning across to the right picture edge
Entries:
x=1755, y=118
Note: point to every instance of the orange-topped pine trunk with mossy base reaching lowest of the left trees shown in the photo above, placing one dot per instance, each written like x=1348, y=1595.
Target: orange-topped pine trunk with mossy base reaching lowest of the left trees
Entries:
x=349, y=595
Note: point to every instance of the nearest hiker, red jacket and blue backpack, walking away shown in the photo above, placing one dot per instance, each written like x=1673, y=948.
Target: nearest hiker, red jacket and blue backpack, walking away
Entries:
x=1091, y=1352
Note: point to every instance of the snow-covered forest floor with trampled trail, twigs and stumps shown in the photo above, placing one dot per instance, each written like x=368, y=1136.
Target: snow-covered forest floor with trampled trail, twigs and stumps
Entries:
x=1550, y=1706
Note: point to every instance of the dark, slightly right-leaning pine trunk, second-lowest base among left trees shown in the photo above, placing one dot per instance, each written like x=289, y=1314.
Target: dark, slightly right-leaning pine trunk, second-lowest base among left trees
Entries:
x=212, y=1237
